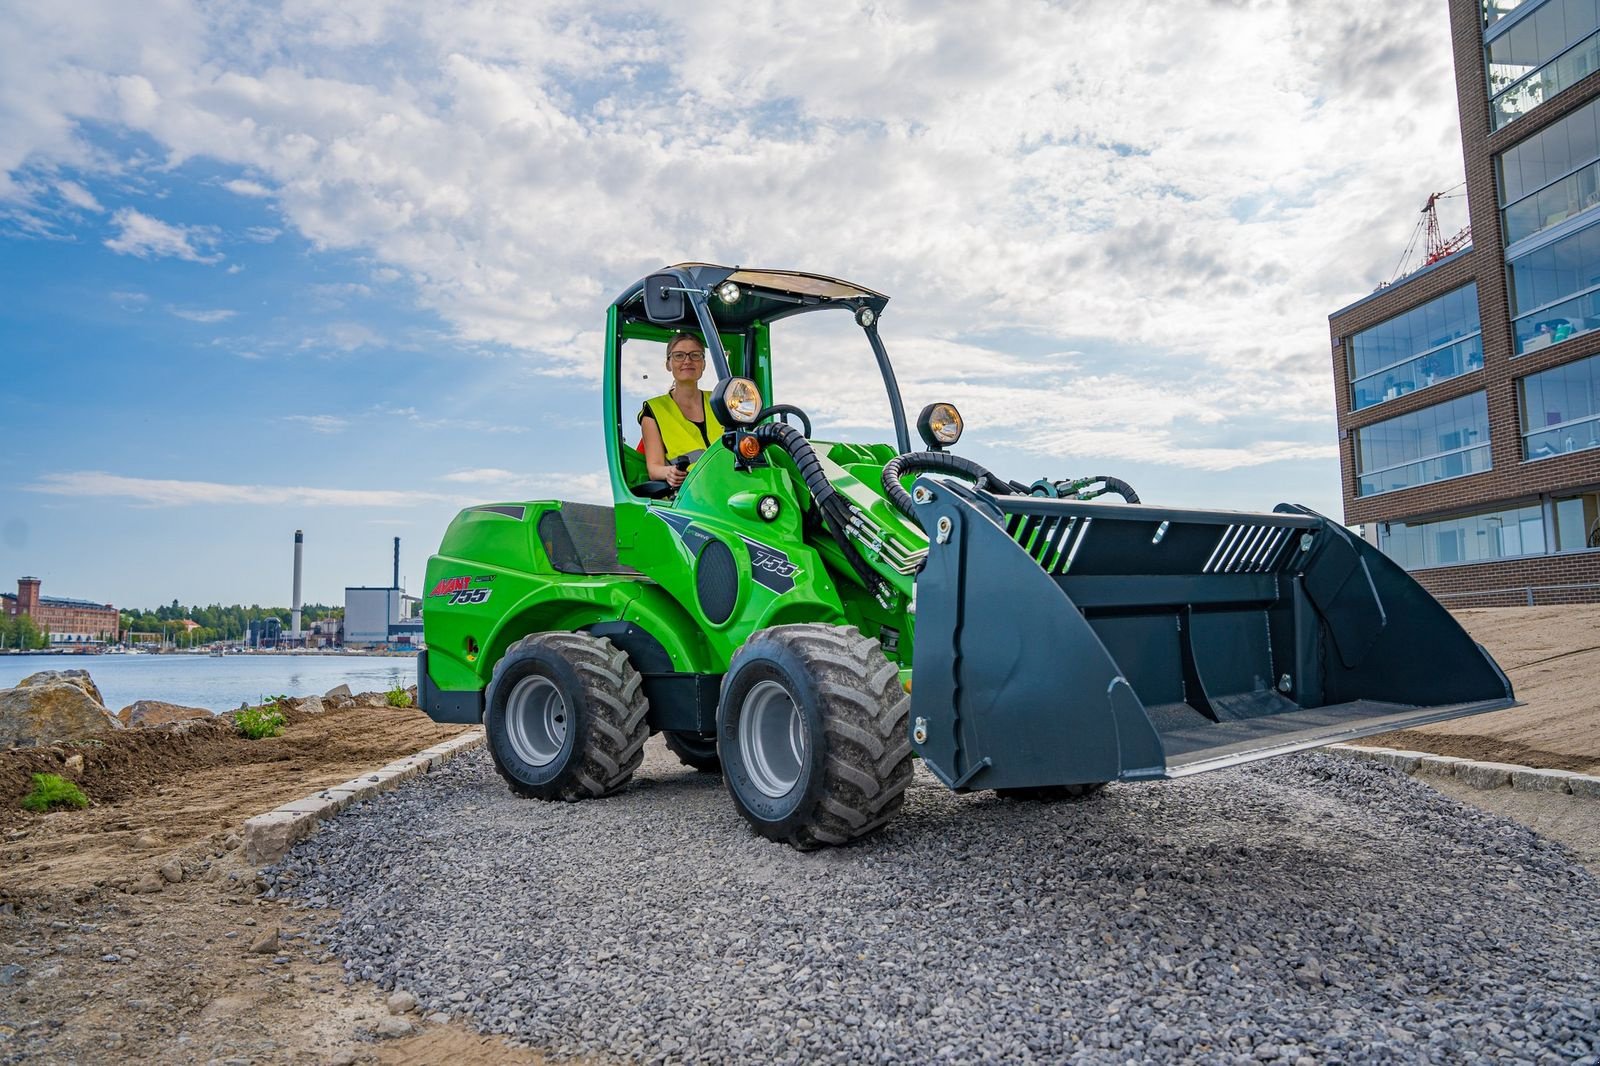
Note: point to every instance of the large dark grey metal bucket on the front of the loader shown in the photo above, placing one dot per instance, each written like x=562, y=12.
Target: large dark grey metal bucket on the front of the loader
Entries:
x=1065, y=643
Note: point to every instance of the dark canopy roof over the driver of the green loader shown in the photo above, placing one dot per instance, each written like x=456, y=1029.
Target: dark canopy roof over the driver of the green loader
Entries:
x=767, y=295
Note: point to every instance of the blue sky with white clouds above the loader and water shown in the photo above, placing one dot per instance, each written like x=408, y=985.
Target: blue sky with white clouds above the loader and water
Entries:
x=345, y=268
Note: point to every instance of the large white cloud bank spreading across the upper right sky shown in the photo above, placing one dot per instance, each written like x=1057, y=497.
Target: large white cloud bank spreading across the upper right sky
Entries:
x=1198, y=212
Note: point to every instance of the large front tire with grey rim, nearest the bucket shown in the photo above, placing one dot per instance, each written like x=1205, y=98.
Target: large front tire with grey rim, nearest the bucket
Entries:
x=814, y=735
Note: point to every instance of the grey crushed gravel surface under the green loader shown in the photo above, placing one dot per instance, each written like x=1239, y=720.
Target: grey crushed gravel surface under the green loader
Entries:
x=1311, y=910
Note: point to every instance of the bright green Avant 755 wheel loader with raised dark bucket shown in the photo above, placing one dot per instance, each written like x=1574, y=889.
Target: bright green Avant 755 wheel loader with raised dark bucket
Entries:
x=814, y=615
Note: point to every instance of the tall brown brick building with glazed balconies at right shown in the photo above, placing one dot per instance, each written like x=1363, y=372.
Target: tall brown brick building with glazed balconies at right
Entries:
x=1470, y=393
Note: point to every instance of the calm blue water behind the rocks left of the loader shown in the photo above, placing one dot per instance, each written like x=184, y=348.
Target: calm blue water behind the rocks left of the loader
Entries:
x=218, y=683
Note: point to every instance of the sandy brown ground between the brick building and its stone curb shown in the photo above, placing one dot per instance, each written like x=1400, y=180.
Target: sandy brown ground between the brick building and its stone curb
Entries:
x=1553, y=660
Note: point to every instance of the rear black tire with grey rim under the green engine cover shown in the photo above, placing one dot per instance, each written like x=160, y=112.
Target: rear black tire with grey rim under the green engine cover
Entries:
x=566, y=718
